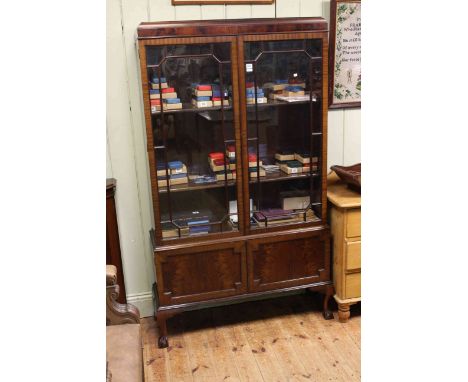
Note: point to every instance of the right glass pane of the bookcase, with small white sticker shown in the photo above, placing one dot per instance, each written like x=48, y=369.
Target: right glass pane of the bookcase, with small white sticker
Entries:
x=284, y=131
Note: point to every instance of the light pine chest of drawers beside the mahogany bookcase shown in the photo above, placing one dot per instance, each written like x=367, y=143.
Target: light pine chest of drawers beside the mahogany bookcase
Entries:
x=345, y=221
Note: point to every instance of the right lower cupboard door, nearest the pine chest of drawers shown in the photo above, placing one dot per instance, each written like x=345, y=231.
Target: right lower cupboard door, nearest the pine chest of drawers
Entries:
x=284, y=262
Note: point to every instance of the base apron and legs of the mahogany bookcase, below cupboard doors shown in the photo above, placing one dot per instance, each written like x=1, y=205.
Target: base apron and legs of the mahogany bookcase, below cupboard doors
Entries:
x=163, y=313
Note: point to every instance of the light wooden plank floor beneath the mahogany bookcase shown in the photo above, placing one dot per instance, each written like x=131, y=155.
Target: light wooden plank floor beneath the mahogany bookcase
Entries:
x=283, y=339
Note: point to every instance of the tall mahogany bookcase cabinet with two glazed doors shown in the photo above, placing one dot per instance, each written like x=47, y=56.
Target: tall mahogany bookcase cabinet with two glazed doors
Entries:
x=236, y=123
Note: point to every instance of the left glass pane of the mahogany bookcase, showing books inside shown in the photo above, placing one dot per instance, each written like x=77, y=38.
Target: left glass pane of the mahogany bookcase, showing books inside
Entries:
x=194, y=138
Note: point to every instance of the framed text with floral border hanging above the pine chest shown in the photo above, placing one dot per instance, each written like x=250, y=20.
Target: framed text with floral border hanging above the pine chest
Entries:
x=345, y=54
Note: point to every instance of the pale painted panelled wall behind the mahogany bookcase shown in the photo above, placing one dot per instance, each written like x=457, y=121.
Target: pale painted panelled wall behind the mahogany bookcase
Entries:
x=126, y=150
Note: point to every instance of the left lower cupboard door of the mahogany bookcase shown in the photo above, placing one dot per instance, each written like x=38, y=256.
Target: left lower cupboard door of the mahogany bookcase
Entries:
x=201, y=273
